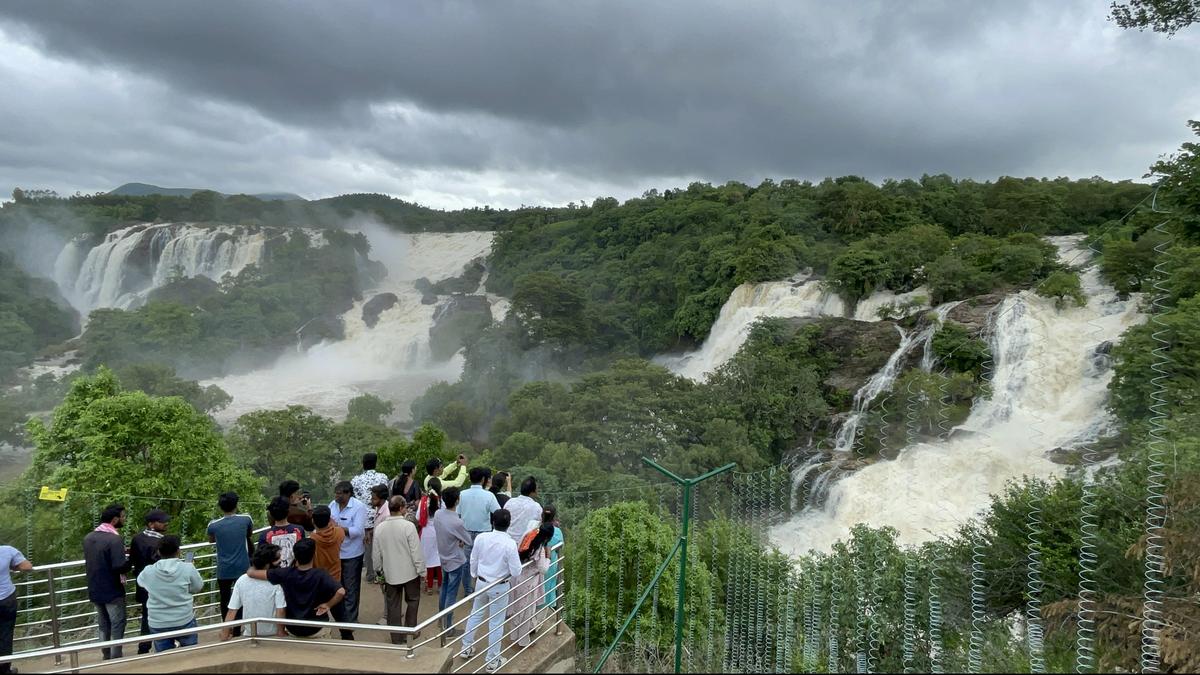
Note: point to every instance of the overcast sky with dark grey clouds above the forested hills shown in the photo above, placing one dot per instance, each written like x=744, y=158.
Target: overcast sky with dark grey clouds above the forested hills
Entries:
x=508, y=104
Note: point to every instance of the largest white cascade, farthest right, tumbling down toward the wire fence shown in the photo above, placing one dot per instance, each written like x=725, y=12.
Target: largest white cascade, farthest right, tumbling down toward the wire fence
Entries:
x=1047, y=393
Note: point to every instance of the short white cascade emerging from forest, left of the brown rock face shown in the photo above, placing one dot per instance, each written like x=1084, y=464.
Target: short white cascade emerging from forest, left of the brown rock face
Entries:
x=797, y=297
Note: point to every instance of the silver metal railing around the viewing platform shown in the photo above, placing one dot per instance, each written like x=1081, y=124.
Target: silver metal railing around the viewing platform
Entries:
x=535, y=588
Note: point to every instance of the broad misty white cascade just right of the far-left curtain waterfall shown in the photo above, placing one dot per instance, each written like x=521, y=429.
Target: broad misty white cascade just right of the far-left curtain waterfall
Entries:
x=391, y=360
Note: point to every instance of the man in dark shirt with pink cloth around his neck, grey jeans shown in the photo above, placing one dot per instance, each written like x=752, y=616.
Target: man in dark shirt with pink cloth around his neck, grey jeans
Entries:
x=105, y=564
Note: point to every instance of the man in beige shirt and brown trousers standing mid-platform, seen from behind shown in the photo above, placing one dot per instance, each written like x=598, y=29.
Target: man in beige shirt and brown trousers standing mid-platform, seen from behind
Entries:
x=398, y=554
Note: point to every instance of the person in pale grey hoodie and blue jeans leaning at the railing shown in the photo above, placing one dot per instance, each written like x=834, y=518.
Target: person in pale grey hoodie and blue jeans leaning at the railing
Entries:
x=170, y=586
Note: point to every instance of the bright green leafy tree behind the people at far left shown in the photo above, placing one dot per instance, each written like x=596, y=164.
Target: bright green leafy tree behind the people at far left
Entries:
x=128, y=445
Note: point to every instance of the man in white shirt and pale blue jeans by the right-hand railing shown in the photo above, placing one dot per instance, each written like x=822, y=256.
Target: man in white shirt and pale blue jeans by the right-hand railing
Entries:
x=494, y=559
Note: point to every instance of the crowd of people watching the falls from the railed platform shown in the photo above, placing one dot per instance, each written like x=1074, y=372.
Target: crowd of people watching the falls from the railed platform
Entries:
x=455, y=530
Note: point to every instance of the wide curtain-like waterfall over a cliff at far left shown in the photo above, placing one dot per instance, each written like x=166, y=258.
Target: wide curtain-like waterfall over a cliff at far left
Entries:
x=130, y=262
